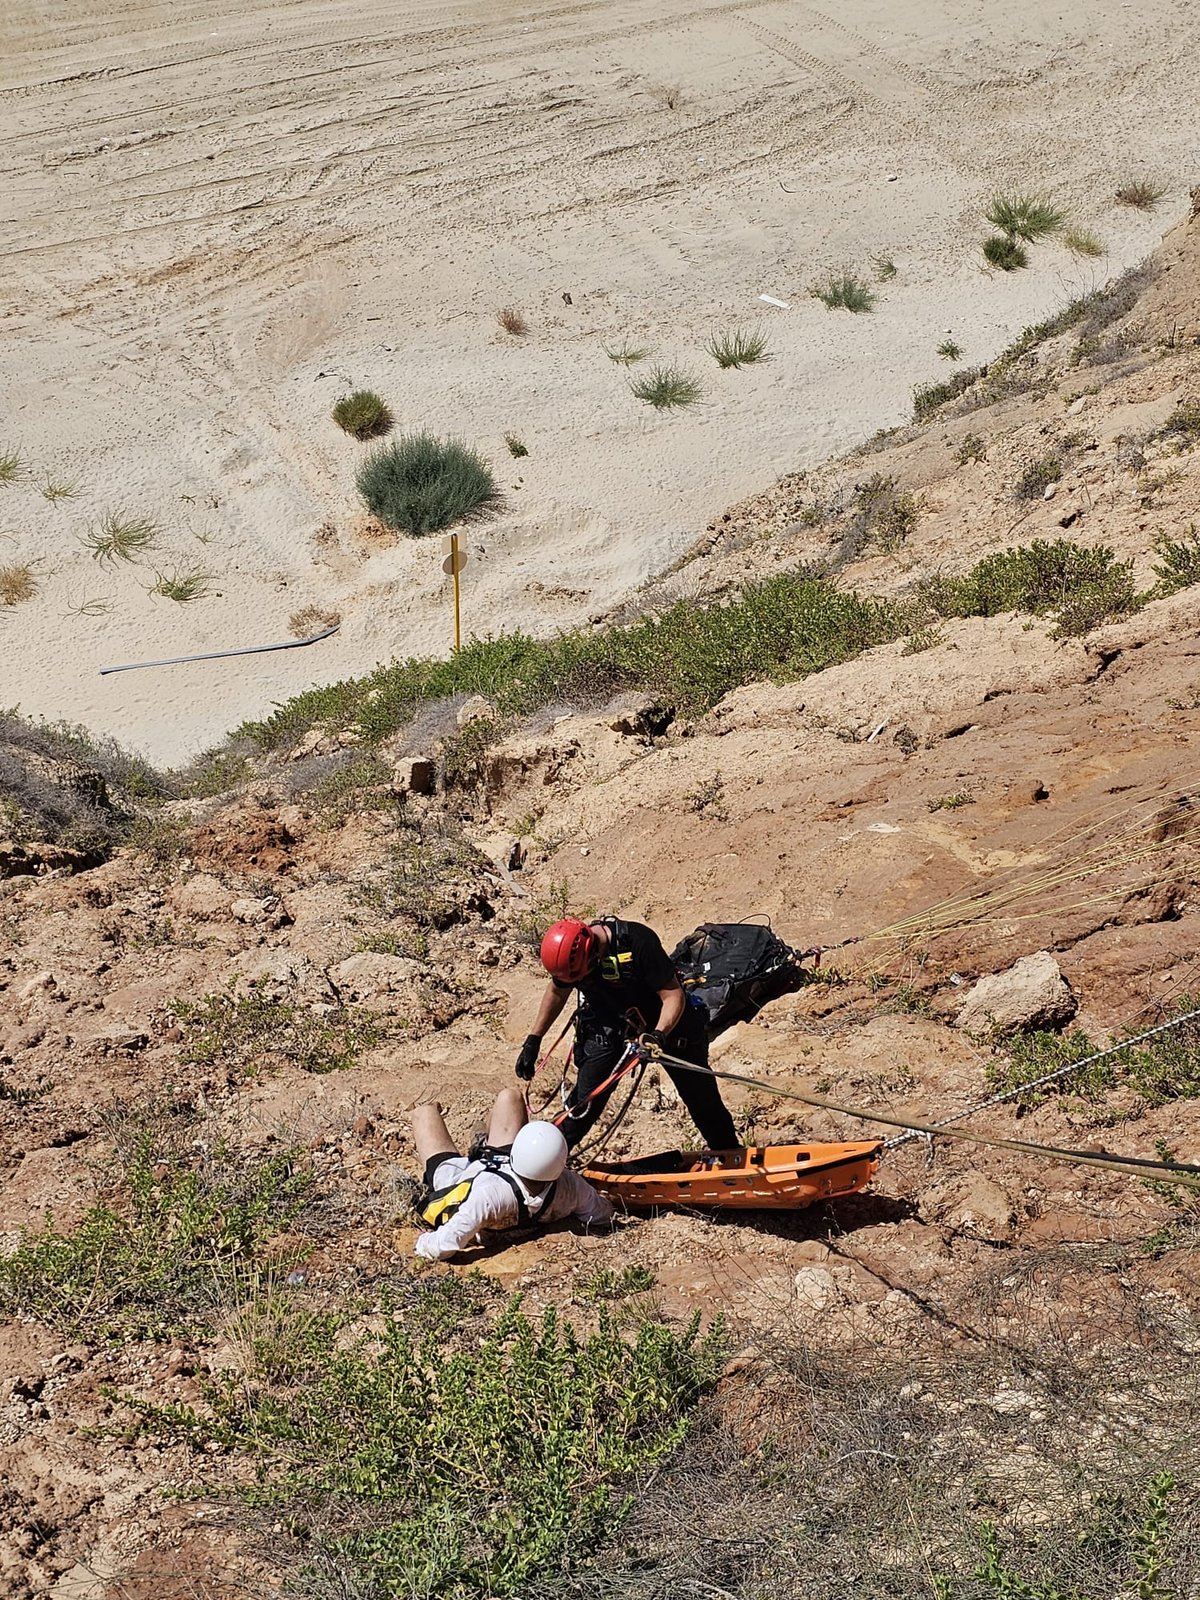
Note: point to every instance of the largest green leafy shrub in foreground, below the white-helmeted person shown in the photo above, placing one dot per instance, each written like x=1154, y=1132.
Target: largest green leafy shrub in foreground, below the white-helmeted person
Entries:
x=460, y=1468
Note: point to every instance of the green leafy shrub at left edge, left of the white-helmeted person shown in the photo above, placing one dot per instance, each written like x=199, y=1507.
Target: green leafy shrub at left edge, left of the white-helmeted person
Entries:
x=186, y=1231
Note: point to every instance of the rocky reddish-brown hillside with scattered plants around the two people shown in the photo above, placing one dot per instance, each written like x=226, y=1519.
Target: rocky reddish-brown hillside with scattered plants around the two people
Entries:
x=210, y=1041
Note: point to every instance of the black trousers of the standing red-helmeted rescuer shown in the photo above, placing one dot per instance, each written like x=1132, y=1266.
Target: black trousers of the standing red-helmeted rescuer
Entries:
x=599, y=1046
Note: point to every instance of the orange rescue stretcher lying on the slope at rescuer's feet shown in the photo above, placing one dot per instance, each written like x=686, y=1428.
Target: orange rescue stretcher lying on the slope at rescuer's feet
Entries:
x=774, y=1177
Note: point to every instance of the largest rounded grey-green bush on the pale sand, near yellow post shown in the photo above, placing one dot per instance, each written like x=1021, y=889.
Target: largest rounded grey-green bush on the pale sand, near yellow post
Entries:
x=422, y=484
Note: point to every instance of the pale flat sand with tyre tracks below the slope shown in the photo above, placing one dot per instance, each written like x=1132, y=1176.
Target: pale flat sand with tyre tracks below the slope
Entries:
x=214, y=225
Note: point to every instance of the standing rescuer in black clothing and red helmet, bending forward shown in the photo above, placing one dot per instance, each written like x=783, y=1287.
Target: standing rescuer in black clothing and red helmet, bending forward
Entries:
x=628, y=990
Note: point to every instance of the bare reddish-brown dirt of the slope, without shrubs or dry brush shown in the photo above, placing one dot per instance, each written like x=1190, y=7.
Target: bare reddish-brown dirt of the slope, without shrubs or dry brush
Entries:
x=382, y=935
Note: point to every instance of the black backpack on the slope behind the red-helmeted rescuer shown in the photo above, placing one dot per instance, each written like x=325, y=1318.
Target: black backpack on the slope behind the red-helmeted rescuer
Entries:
x=734, y=969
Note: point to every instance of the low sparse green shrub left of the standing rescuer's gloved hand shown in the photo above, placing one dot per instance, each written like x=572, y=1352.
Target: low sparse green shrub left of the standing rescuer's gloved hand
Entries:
x=249, y=1033
